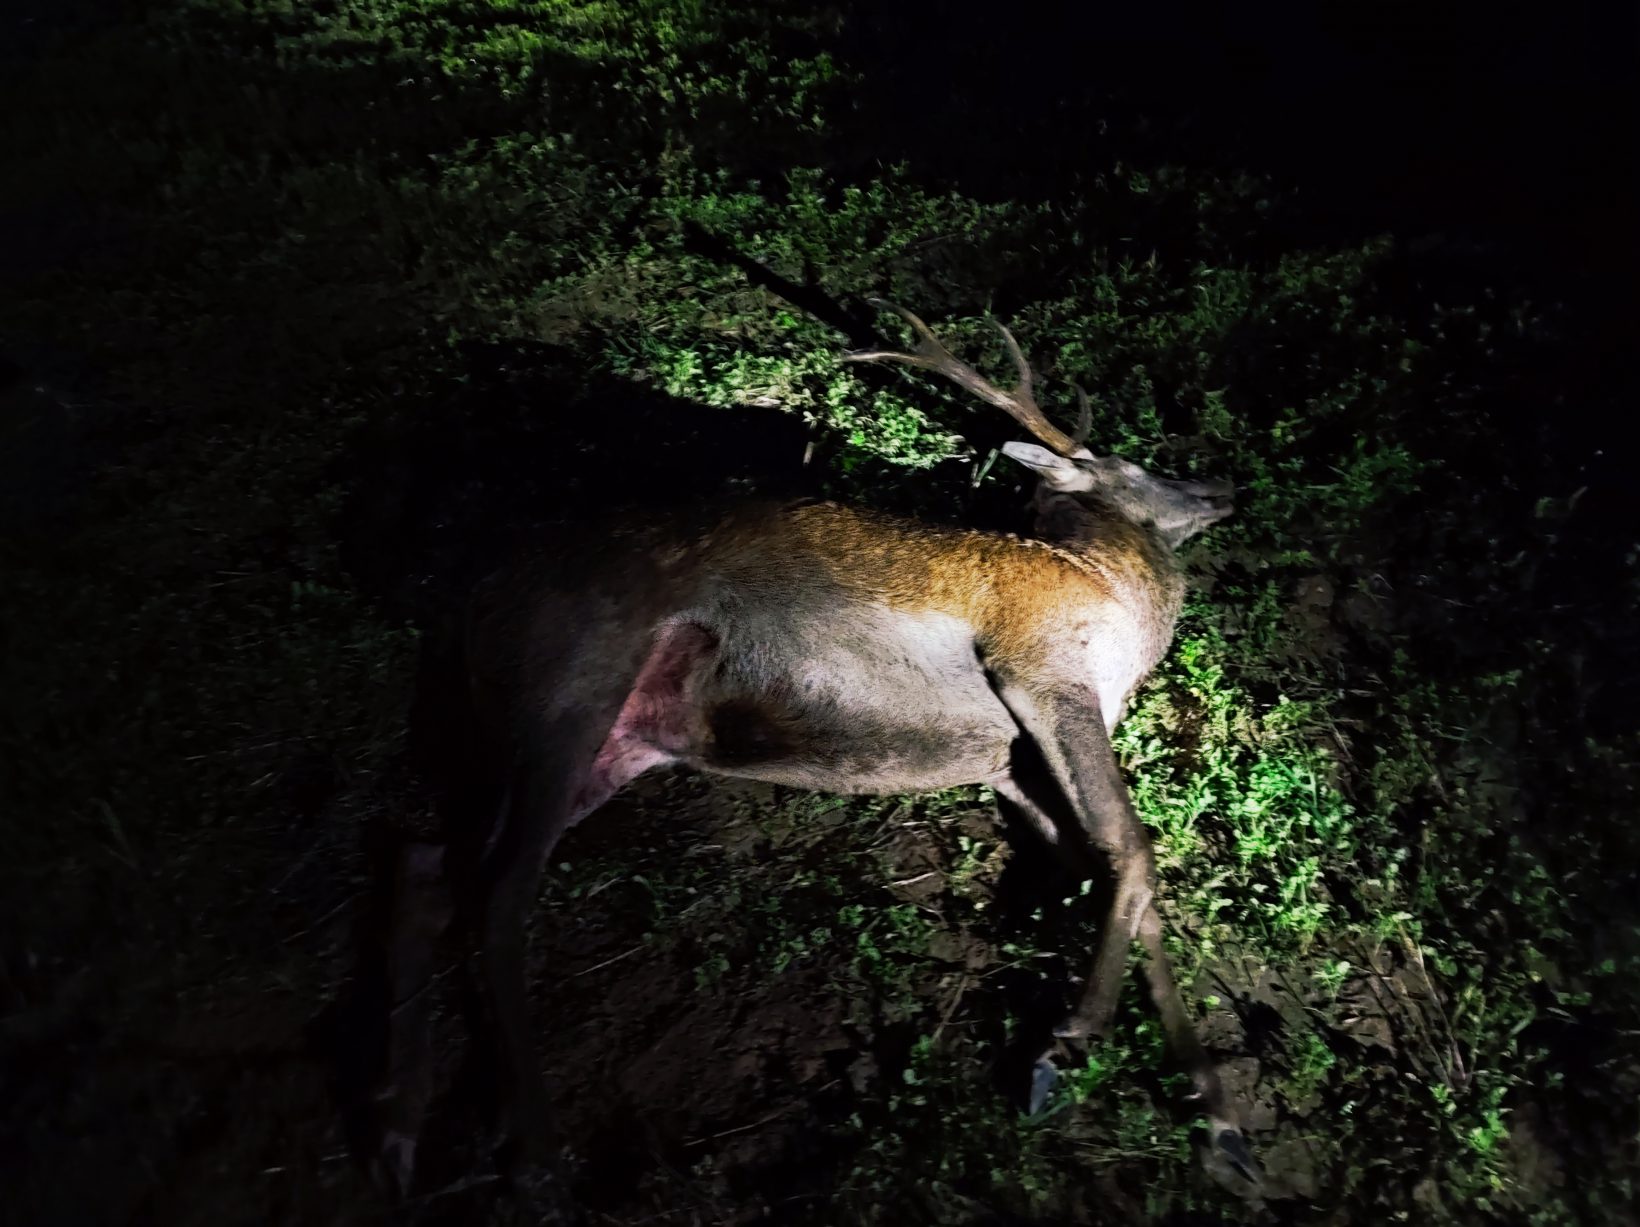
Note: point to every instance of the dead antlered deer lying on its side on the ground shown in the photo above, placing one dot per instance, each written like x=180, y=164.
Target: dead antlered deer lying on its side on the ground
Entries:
x=836, y=649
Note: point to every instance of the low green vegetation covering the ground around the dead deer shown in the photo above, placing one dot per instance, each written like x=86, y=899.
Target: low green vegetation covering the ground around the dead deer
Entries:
x=1387, y=826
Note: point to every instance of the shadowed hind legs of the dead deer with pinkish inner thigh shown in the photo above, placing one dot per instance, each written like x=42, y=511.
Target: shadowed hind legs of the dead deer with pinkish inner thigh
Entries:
x=568, y=765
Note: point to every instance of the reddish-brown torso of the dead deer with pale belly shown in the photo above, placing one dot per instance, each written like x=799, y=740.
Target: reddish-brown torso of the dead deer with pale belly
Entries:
x=826, y=647
